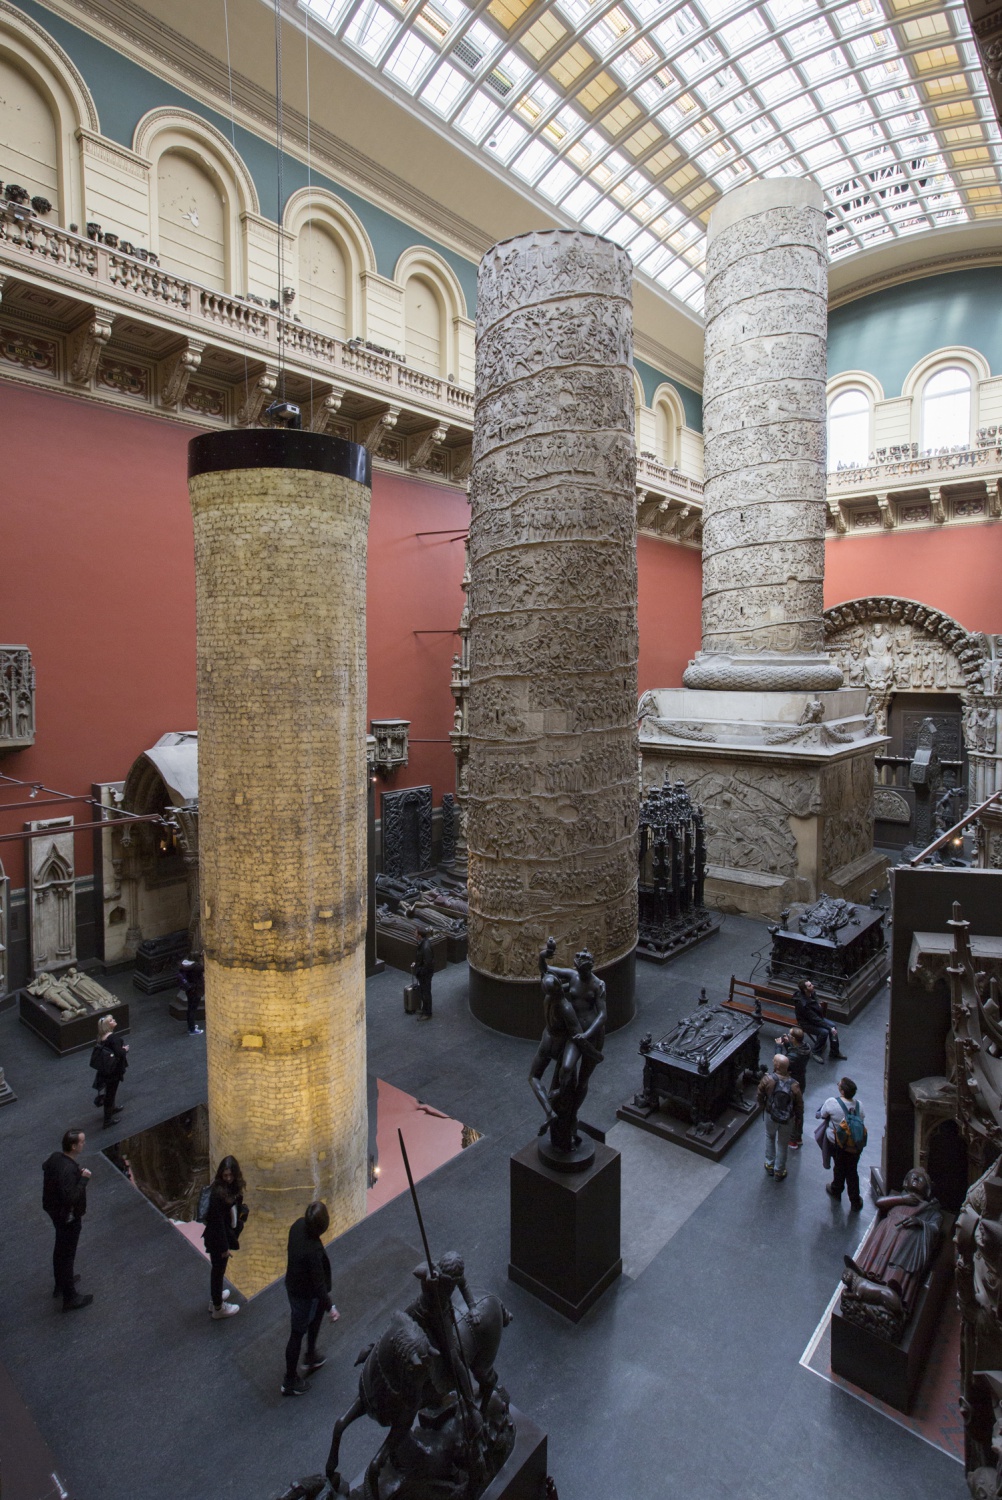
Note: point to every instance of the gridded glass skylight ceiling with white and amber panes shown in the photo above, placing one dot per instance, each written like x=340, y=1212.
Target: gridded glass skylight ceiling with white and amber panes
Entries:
x=632, y=119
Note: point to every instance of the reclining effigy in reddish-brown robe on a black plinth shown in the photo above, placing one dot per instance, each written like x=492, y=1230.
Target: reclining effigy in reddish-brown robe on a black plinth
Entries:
x=883, y=1283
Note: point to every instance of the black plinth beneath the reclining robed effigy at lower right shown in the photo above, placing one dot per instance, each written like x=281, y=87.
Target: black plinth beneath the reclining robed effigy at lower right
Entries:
x=893, y=1372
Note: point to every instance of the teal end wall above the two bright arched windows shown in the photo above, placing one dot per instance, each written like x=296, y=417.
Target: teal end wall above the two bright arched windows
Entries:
x=892, y=331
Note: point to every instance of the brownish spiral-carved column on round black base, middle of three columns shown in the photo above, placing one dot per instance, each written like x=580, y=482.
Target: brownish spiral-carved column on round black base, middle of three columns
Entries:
x=553, y=806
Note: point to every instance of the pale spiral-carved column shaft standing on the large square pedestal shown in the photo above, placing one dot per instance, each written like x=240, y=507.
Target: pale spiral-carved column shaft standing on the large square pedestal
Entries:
x=764, y=428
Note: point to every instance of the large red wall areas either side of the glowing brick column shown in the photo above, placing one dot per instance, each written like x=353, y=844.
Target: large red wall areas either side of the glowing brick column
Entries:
x=98, y=581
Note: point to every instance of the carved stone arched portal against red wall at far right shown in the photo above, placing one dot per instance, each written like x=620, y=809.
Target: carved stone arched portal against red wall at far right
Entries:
x=901, y=646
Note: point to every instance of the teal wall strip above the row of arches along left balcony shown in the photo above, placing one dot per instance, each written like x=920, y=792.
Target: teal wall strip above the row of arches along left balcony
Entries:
x=124, y=94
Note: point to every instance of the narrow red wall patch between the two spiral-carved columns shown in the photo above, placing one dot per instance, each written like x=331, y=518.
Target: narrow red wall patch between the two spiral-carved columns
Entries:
x=670, y=604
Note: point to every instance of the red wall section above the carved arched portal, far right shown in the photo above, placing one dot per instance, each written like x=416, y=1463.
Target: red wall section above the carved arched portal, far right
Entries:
x=955, y=569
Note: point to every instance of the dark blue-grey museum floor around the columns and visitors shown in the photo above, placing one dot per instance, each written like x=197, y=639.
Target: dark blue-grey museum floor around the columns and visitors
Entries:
x=682, y=1384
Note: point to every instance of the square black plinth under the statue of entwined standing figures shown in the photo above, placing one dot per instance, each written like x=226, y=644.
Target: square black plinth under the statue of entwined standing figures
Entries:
x=566, y=1231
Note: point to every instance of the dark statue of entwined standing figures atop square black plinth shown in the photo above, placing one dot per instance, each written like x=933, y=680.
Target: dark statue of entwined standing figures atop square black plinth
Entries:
x=575, y=1009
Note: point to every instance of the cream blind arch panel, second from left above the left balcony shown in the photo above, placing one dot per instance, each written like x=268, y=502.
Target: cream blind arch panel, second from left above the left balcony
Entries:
x=193, y=221
